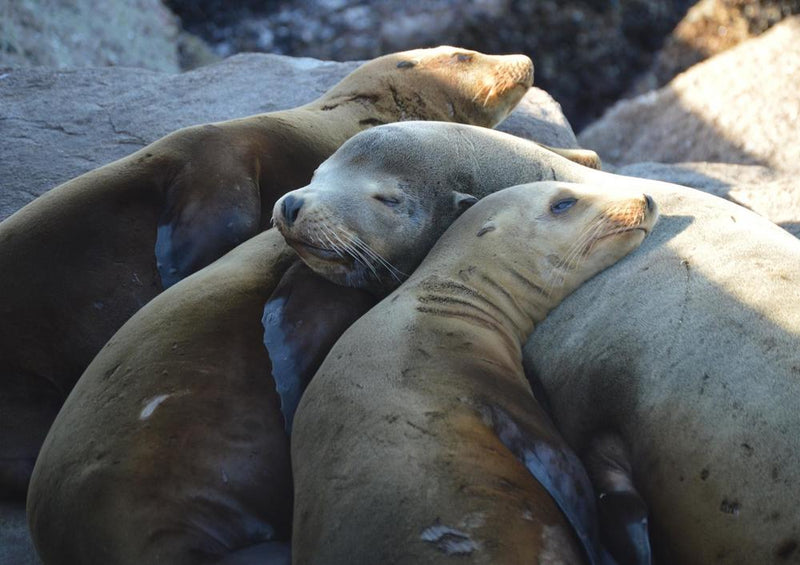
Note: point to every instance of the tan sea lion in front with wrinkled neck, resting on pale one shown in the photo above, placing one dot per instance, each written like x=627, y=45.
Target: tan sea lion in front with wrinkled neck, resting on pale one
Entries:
x=419, y=440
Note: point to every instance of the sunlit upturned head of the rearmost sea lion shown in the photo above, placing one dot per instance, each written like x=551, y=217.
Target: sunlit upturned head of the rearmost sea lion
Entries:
x=440, y=83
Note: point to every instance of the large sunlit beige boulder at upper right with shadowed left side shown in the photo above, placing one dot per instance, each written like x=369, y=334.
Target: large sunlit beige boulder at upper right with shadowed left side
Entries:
x=740, y=106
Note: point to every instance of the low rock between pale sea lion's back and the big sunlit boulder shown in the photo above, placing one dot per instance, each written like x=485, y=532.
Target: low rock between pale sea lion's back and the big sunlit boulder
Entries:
x=770, y=193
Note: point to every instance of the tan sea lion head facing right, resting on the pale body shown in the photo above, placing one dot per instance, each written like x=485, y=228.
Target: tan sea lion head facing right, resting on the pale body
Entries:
x=548, y=237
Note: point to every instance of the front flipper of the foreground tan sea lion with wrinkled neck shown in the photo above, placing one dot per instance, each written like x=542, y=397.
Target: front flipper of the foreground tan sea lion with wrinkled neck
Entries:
x=558, y=469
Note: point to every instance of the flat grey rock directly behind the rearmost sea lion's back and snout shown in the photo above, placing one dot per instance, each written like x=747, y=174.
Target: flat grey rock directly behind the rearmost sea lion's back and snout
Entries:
x=55, y=125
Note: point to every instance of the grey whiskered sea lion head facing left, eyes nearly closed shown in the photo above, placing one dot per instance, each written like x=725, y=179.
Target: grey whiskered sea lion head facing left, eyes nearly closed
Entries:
x=377, y=205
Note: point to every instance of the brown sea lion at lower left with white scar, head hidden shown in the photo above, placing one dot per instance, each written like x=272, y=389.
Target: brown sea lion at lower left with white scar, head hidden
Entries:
x=171, y=448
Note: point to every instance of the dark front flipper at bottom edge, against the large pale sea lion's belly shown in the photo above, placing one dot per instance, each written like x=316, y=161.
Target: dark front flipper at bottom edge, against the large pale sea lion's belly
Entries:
x=622, y=511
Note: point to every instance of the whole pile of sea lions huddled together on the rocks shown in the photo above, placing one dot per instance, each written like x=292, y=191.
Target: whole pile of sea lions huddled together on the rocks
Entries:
x=448, y=349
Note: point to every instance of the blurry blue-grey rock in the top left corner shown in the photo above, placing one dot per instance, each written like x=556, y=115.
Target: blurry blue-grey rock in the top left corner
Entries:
x=86, y=33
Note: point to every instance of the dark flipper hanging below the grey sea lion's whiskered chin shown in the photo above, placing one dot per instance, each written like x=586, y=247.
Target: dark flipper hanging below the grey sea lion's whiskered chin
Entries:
x=302, y=320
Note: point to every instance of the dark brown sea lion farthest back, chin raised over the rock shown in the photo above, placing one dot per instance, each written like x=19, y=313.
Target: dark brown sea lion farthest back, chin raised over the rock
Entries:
x=80, y=260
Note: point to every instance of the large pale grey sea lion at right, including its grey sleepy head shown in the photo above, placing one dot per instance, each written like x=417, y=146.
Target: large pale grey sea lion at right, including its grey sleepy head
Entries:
x=690, y=356
